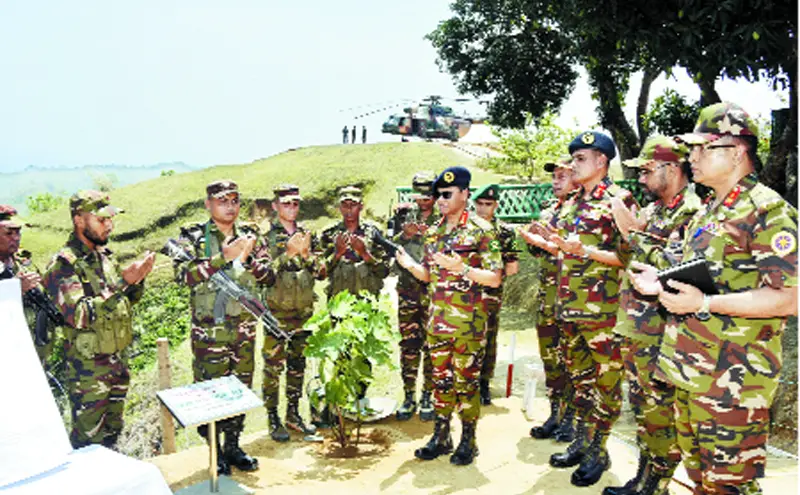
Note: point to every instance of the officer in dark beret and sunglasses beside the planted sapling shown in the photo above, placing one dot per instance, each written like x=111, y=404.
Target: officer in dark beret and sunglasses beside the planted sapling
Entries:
x=462, y=256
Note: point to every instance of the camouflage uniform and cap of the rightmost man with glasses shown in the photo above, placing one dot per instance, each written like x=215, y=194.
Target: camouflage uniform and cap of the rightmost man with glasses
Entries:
x=726, y=368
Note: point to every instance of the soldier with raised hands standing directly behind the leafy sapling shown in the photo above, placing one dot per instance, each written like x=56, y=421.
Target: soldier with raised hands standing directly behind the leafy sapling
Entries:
x=351, y=259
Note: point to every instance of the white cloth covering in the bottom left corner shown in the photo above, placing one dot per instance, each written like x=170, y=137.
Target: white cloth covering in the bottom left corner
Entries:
x=35, y=454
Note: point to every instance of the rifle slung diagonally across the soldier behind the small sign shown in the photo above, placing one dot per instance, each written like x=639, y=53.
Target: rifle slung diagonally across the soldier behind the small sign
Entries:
x=229, y=289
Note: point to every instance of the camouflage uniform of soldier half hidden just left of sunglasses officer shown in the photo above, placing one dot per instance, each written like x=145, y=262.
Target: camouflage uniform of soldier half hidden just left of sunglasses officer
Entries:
x=412, y=308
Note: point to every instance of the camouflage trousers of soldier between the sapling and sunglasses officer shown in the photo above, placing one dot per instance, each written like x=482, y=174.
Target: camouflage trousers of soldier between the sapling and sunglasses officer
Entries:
x=412, y=317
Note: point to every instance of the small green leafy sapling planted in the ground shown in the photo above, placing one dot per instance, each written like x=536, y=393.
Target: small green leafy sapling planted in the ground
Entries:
x=347, y=334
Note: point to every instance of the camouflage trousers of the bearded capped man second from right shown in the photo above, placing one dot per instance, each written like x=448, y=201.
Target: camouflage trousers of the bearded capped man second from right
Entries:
x=653, y=404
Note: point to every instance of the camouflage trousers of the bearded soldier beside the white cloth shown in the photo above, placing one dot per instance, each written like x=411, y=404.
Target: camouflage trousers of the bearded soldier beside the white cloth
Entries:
x=97, y=389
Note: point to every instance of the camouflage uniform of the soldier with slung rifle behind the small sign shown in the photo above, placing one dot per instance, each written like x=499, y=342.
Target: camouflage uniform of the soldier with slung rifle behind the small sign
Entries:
x=225, y=347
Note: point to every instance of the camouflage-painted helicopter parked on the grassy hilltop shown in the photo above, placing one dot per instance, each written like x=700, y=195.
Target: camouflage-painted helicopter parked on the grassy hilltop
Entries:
x=429, y=119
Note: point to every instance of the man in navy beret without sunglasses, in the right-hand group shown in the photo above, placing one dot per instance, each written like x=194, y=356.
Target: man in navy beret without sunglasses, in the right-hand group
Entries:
x=589, y=274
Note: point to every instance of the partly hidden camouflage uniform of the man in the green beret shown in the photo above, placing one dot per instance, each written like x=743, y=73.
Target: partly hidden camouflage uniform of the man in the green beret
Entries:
x=494, y=297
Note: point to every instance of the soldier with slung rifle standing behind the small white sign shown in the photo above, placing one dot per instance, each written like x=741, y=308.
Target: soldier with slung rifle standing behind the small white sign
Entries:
x=223, y=333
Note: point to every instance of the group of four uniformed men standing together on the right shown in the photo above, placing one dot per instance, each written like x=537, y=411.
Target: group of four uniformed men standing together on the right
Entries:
x=702, y=369
